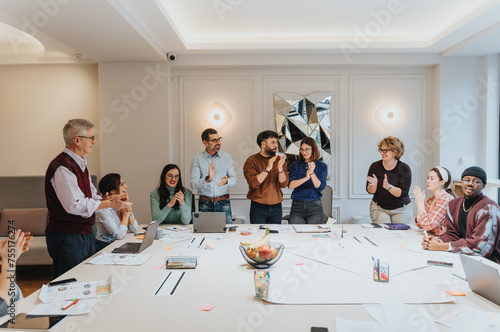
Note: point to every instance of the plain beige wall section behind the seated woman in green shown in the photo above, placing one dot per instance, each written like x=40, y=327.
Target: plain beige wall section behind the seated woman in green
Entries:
x=135, y=127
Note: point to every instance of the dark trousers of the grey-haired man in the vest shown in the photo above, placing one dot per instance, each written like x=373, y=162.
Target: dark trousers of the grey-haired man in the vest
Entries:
x=68, y=250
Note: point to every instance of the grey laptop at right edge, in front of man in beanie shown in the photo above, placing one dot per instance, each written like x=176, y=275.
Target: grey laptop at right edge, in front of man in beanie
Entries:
x=482, y=278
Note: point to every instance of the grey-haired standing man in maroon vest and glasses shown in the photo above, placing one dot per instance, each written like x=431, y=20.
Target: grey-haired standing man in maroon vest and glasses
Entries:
x=72, y=200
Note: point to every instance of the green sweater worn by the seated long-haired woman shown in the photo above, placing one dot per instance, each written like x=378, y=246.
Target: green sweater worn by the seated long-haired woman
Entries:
x=168, y=215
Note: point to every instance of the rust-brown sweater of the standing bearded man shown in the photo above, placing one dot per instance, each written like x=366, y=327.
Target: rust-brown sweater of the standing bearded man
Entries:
x=269, y=191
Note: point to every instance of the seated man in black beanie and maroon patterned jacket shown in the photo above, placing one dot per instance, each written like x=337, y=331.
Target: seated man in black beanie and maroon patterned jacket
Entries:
x=472, y=221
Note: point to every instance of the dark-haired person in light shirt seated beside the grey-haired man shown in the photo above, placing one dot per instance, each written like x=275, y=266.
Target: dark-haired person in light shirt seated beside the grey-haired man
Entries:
x=112, y=224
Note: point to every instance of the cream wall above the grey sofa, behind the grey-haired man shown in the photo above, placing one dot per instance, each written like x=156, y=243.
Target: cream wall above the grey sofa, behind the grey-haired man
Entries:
x=36, y=101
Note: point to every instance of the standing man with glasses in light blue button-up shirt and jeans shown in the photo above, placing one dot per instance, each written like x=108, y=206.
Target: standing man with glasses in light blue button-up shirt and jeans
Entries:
x=212, y=173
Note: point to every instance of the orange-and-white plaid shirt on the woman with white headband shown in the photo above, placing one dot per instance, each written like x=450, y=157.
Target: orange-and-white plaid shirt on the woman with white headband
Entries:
x=433, y=220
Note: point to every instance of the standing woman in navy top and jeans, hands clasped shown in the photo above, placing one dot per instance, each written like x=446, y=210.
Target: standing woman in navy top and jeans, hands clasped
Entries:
x=307, y=179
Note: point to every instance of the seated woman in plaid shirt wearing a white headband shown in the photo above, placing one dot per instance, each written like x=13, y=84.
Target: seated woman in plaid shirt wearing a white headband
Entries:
x=430, y=213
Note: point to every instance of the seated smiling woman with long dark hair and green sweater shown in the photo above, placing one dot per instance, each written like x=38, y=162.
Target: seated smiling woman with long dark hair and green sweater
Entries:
x=171, y=202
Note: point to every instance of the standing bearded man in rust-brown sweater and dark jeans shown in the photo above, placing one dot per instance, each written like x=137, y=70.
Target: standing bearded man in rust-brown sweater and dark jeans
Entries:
x=266, y=173
